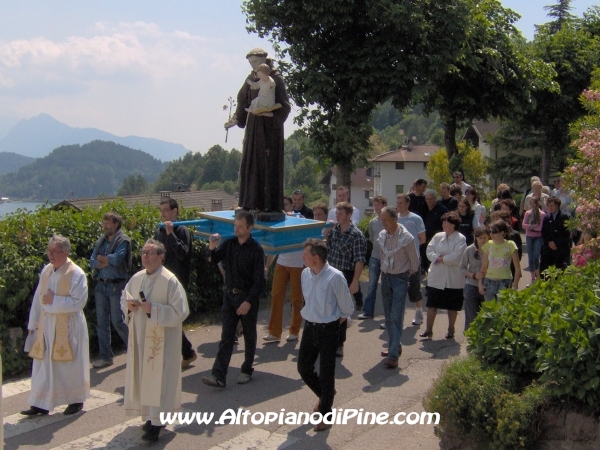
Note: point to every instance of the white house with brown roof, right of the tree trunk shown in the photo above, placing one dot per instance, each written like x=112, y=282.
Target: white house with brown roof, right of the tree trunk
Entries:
x=394, y=172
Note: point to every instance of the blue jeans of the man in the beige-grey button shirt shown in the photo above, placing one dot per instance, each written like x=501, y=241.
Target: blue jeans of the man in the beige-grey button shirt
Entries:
x=393, y=293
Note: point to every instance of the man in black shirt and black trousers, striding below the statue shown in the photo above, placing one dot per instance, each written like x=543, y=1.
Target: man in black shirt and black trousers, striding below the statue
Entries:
x=243, y=261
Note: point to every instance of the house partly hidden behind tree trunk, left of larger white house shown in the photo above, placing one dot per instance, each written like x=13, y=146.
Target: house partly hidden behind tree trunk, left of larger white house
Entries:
x=361, y=190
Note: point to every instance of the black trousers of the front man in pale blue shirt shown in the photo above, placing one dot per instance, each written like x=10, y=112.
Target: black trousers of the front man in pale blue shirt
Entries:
x=319, y=341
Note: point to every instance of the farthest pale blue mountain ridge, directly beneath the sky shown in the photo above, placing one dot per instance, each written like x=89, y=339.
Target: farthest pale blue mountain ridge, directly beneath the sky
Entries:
x=37, y=136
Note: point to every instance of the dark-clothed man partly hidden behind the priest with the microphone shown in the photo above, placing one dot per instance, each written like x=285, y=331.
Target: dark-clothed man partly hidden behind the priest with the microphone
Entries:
x=178, y=259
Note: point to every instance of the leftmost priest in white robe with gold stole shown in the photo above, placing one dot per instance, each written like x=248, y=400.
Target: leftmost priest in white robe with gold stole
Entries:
x=60, y=352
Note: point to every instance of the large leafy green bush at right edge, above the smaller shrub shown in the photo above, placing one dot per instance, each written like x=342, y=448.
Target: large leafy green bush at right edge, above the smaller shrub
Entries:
x=549, y=331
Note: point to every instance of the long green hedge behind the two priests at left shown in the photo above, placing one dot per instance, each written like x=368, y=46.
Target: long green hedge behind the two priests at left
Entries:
x=23, y=243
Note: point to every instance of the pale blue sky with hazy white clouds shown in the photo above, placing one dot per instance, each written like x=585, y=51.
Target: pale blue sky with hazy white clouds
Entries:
x=148, y=68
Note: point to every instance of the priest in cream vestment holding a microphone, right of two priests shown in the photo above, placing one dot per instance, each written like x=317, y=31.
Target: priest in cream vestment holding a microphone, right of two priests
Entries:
x=155, y=305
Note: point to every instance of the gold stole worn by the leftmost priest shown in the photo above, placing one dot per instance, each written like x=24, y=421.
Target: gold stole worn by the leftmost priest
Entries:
x=61, y=349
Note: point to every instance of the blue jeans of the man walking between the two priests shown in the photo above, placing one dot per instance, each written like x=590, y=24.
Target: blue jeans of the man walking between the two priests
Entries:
x=108, y=308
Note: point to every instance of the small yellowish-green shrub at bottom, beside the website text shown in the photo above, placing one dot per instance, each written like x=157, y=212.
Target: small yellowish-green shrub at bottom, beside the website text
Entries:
x=481, y=406
